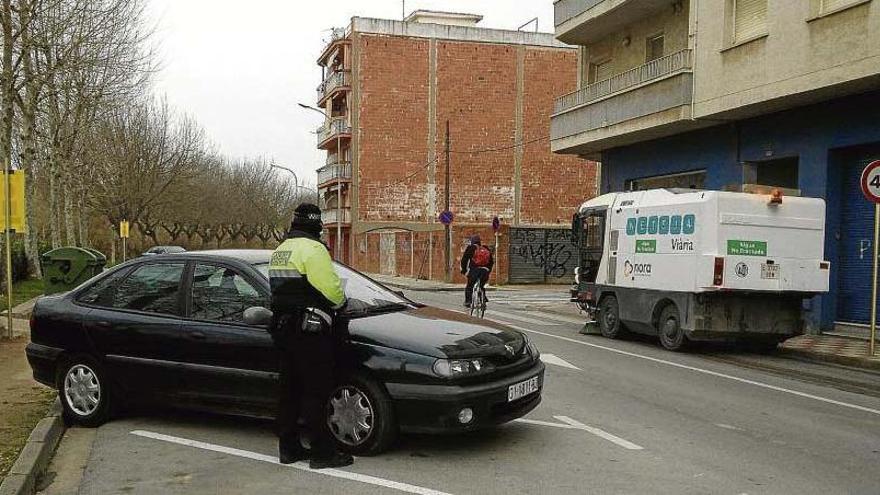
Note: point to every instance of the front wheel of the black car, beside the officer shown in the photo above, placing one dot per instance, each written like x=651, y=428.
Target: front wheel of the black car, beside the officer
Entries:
x=358, y=396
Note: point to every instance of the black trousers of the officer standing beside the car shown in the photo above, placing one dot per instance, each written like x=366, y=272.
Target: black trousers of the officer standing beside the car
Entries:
x=306, y=382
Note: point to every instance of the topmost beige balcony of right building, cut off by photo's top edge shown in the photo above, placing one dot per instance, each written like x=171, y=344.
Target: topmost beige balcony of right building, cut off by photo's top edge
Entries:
x=582, y=22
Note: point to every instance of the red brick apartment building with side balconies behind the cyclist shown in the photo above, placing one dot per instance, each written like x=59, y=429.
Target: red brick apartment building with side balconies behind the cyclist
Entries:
x=389, y=90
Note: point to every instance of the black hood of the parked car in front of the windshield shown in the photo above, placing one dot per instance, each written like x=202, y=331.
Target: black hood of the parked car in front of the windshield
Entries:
x=437, y=332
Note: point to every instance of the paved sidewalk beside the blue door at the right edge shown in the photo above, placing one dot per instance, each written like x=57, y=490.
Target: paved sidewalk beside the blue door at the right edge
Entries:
x=834, y=349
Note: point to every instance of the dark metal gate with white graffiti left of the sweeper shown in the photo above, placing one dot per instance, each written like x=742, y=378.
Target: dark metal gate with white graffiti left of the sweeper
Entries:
x=541, y=256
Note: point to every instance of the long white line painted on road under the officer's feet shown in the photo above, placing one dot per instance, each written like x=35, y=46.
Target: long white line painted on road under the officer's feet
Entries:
x=302, y=466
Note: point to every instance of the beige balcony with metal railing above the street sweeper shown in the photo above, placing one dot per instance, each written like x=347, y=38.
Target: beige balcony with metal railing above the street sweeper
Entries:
x=646, y=102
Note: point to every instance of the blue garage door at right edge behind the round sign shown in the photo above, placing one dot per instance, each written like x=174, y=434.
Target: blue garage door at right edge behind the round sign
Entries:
x=856, y=236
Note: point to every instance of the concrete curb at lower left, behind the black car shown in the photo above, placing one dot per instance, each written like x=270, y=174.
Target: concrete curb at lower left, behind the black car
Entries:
x=36, y=454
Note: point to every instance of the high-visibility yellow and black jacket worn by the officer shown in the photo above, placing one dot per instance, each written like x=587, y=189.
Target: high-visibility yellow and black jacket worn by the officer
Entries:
x=301, y=275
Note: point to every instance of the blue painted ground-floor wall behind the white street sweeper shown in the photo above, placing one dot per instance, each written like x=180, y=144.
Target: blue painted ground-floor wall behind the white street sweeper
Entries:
x=818, y=135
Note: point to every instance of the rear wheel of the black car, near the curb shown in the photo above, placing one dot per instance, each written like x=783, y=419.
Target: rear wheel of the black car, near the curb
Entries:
x=84, y=392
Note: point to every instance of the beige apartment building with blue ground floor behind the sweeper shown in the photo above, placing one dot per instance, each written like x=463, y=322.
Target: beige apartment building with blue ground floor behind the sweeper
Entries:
x=719, y=94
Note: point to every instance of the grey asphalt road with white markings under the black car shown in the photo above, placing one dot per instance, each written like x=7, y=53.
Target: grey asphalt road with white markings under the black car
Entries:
x=617, y=417
